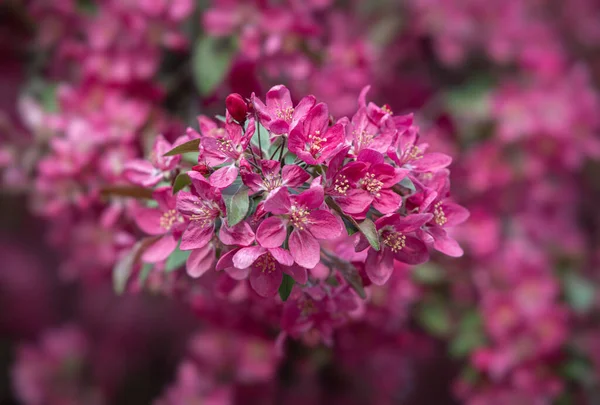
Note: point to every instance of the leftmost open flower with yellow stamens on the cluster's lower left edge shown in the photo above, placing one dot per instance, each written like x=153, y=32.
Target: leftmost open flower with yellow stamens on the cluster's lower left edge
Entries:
x=163, y=221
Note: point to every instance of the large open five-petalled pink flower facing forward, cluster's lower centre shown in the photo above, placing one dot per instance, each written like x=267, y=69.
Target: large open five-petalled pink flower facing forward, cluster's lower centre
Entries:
x=309, y=224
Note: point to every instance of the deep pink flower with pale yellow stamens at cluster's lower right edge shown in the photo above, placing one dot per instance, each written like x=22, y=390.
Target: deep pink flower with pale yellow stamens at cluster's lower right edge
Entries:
x=395, y=234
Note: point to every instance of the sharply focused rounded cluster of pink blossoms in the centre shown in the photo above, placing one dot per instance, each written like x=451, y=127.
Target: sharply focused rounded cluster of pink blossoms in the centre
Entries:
x=276, y=183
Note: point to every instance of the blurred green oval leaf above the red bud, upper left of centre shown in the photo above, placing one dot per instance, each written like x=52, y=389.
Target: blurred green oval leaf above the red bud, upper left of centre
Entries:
x=211, y=61
